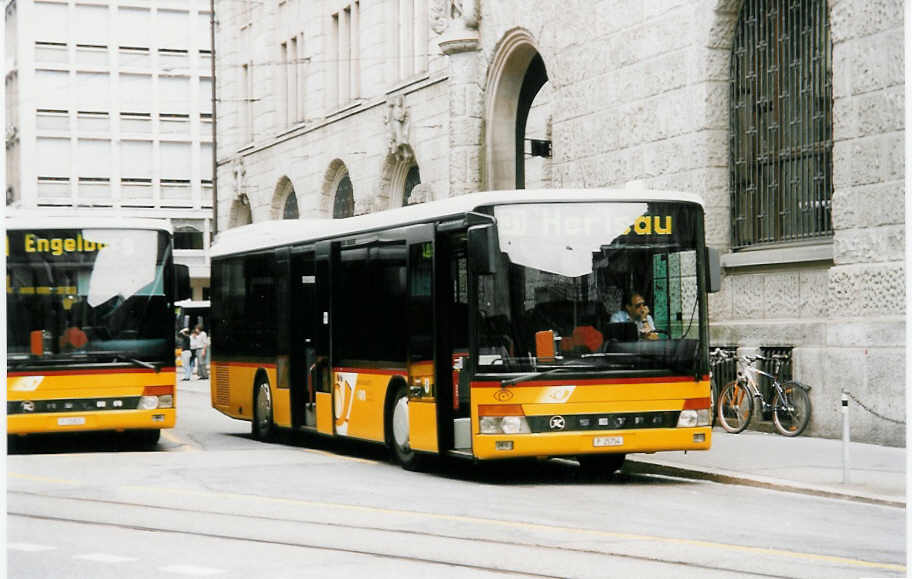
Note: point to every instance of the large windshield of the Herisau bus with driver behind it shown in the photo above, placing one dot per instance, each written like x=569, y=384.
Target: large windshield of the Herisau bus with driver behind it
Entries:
x=592, y=287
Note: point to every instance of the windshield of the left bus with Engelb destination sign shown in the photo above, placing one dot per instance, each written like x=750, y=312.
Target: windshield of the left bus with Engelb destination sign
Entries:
x=88, y=295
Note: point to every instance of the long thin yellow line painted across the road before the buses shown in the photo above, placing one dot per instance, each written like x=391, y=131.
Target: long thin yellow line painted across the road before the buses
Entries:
x=540, y=527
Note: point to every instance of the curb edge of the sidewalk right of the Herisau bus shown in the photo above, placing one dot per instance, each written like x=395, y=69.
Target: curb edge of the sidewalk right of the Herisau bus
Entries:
x=634, y=466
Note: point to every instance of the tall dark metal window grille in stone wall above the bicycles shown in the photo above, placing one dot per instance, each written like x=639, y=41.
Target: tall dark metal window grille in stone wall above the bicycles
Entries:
x=780, y=123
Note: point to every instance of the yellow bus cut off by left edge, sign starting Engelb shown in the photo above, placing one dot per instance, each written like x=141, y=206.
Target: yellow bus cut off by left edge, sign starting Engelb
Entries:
x=90, y=325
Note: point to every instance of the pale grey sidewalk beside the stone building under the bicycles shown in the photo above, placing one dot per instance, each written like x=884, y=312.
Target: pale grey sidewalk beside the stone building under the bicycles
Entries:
x=877, y=474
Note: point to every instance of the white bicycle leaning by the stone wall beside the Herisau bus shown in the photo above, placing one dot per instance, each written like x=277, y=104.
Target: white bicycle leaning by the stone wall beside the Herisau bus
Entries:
x=791, y=405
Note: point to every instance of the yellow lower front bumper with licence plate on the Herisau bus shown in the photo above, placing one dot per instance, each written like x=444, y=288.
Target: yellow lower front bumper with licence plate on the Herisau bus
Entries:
x=553, y=444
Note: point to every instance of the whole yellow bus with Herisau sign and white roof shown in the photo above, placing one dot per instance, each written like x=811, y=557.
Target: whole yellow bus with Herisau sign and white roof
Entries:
x=485, y=326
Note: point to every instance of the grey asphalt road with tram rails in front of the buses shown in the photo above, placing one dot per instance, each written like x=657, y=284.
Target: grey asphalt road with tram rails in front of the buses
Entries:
x=209, y=501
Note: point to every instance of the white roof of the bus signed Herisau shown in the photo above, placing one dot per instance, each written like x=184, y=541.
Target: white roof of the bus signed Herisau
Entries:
x=276, y=233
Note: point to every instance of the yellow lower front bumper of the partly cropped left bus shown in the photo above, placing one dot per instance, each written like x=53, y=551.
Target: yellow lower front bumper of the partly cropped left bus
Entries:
x=89, y=421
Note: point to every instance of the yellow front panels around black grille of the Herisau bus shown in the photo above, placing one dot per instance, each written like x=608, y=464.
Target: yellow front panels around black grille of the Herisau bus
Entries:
x=570, y=399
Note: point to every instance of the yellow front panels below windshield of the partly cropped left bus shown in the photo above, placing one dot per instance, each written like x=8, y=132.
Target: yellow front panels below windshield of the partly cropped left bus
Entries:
x=86, y=384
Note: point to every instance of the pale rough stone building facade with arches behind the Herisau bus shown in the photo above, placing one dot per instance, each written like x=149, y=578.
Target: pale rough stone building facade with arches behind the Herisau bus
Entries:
x=337, y=107
